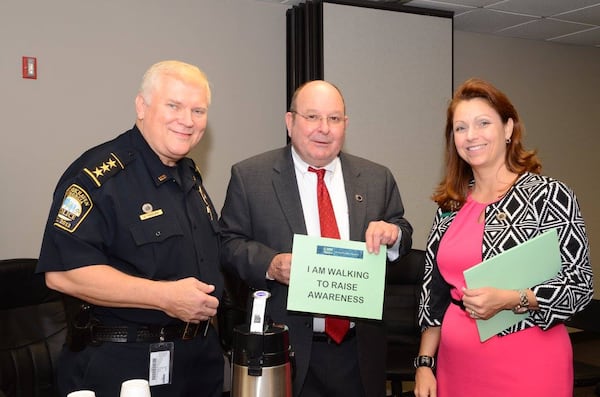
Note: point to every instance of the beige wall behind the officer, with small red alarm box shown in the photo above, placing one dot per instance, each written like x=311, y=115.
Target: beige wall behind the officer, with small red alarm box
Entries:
x=91, y=57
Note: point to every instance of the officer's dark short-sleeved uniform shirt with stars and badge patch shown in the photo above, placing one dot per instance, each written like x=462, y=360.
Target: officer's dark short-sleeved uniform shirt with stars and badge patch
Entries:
x=118, y=204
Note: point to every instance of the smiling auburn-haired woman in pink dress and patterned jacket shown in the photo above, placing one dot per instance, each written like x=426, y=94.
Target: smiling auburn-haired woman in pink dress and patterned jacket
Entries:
x=492, y=198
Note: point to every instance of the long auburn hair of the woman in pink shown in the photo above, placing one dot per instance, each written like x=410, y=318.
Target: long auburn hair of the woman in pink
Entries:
x=451, y=193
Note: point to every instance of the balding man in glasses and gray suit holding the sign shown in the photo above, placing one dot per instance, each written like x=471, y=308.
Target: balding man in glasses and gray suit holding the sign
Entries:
x=273, y=196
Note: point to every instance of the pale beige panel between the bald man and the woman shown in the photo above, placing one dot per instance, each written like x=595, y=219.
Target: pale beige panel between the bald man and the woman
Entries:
x=391, y=88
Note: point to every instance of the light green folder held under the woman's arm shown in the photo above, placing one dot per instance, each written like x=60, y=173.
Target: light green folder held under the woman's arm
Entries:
x=523, y=266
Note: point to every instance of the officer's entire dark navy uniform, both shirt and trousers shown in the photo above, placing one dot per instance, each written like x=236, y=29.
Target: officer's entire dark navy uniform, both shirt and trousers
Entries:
x=118, y=204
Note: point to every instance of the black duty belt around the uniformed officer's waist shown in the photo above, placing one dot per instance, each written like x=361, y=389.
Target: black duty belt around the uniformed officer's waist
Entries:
x=148, y=334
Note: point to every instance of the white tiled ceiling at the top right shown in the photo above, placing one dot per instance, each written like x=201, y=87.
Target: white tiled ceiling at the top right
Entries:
x=574, y=22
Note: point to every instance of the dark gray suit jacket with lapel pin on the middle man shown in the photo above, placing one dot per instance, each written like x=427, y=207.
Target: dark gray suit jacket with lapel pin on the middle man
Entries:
x=263, y=211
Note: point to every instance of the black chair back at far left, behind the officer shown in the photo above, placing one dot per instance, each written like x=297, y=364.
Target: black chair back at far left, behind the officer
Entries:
x=32, y=330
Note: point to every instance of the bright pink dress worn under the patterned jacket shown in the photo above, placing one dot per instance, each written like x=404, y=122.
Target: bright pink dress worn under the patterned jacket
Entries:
x=528, y=363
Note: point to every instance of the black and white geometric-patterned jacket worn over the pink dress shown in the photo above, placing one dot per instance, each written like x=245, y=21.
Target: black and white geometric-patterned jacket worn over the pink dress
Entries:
x=534, y=204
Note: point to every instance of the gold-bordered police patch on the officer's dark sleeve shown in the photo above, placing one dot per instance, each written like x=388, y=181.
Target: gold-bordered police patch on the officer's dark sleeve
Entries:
x=75, y=207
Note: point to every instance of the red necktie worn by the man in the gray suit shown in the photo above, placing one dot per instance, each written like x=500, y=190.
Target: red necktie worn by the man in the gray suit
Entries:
x=335, y=327
